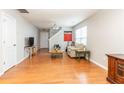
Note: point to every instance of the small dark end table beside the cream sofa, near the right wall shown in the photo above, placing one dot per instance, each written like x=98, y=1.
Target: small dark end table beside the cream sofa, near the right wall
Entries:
x=85, y=52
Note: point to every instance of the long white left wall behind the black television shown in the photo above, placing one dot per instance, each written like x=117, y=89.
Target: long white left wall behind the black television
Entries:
x=24, y=29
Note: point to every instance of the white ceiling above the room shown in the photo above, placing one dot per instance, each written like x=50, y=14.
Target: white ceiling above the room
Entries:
x=46, y=18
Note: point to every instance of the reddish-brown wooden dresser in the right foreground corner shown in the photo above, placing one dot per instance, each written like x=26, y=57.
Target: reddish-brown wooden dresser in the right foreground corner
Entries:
x=116, y=68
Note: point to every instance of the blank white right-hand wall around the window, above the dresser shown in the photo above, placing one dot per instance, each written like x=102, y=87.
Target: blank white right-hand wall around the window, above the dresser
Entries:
x=105, y=34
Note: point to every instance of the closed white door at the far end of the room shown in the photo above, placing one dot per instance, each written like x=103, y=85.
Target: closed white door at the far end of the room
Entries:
x=44, y=39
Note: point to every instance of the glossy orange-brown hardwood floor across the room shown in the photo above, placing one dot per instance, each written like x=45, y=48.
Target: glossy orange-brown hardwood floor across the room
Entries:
x=42, y=69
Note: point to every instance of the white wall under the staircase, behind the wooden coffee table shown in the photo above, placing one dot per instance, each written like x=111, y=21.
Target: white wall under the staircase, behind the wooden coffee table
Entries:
x=58, y=38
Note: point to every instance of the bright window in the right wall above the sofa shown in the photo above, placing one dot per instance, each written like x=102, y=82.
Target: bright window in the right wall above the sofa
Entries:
x=81, y=35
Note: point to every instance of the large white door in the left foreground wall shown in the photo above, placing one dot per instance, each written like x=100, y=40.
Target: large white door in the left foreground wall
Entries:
x=8, y=41
